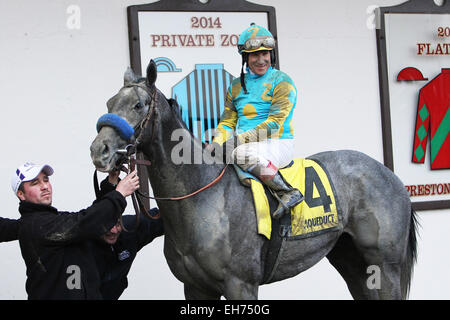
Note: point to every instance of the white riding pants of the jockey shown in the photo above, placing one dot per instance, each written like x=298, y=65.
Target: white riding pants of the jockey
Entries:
x=278, y=151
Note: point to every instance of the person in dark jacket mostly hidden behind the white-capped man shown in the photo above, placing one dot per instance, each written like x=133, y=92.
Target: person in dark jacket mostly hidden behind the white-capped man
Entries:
x=116, y=250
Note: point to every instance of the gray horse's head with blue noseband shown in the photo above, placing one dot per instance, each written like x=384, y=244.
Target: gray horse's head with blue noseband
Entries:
x=122, y=125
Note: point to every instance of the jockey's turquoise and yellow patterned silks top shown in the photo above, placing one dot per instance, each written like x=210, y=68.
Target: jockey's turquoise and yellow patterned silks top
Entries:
x=266, y=110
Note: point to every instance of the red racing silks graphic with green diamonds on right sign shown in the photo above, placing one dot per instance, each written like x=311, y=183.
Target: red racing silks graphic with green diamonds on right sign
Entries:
x=433, y=116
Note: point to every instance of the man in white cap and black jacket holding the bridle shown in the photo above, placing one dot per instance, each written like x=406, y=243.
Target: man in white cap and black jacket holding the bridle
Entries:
x=59, y=259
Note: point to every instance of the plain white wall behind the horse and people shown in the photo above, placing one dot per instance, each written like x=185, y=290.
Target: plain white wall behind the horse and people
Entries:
x=55, y=82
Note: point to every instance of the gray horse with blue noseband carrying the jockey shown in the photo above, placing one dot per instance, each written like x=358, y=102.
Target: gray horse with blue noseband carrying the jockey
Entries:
x=211, y=243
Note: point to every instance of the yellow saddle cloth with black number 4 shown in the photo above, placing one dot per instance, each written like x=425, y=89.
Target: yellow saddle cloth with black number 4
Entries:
x=316, y=214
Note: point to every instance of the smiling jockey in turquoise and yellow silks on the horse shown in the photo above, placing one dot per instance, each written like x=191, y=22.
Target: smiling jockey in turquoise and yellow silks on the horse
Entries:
x=259, y=108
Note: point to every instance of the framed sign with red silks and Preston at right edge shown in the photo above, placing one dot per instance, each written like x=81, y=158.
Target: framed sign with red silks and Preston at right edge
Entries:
x=414, y=67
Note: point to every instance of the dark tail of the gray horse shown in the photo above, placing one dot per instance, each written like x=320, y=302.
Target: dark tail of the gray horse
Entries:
x=411, y=256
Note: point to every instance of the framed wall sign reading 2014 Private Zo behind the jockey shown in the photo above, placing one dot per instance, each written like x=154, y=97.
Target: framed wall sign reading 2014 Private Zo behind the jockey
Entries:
x=194, y=46
